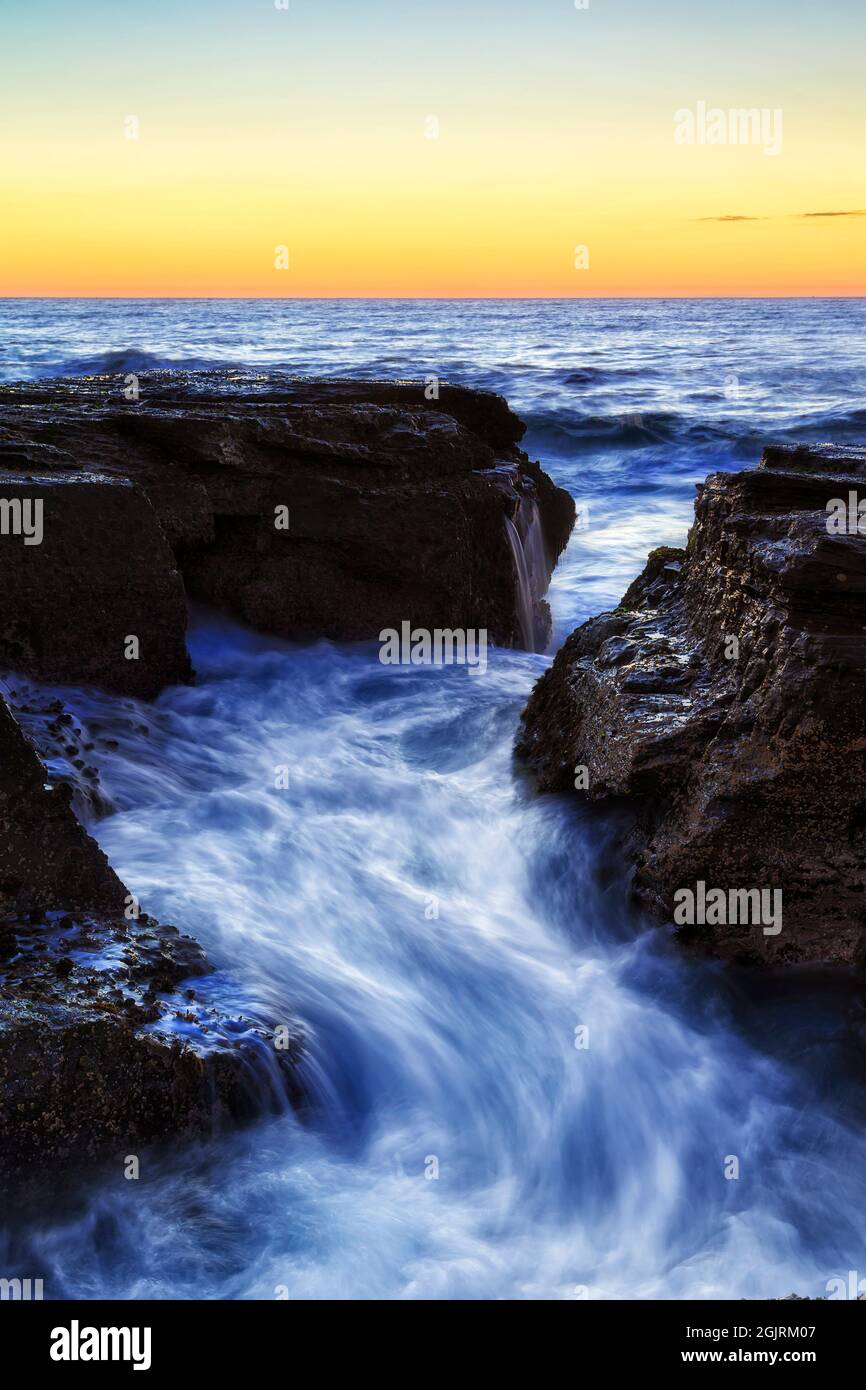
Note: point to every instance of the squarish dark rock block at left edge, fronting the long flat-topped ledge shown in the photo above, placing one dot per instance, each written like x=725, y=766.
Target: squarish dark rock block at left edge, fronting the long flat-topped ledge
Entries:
x=99, y=575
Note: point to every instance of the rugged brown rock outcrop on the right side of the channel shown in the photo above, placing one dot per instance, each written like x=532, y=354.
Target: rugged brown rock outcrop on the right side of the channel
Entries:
x=725, y=700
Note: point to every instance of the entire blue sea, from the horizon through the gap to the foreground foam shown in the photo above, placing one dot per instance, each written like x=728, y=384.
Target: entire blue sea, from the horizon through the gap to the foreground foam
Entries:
x=439, y=929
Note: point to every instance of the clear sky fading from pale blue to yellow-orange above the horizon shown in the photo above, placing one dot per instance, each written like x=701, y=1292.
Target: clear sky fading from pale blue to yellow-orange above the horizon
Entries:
x=432, y=148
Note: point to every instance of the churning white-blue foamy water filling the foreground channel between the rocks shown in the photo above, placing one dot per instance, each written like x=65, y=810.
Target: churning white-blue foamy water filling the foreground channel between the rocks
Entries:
x=443, y=933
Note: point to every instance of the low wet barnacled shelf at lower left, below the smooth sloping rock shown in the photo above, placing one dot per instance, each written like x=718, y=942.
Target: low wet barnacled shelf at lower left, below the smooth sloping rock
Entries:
x=102, y=1053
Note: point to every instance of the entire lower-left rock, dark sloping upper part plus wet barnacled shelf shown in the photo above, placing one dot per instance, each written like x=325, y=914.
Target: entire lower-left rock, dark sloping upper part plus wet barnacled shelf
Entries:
x=104, y=1046
